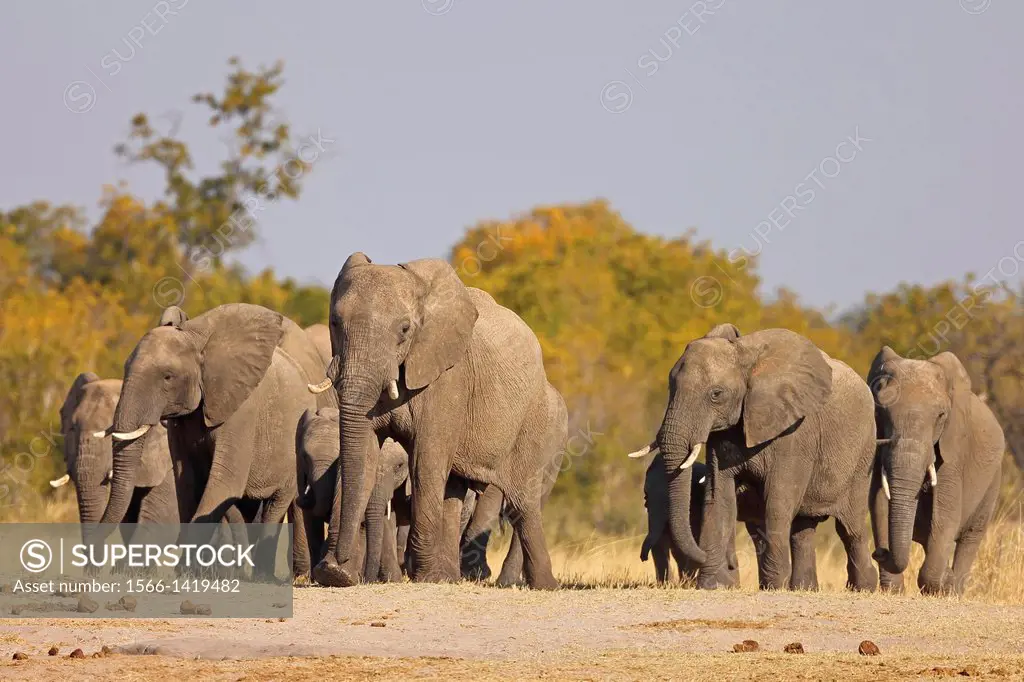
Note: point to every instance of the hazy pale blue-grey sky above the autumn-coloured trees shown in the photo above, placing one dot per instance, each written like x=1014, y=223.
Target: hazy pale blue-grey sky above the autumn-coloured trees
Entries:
x=709, y=115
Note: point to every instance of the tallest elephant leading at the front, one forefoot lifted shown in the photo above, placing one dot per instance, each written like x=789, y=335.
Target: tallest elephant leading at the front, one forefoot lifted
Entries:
x=459, y=381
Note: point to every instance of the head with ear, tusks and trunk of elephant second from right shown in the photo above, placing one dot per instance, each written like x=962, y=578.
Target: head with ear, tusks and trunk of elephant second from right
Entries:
x=766, y=382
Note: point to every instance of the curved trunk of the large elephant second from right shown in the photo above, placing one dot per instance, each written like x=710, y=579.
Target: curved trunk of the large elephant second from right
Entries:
x=677, y=451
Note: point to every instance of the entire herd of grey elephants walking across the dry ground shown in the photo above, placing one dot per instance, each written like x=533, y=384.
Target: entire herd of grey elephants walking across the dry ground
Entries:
x=397, y=437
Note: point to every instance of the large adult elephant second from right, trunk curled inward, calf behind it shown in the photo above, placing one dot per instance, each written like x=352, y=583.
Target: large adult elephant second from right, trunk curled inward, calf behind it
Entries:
x=778, y=414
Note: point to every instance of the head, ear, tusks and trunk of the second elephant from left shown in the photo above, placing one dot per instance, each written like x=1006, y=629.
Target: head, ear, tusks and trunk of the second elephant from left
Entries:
x=206, y=367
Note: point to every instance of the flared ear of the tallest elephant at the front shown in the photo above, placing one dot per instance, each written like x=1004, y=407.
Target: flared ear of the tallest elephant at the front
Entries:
x=446, y=325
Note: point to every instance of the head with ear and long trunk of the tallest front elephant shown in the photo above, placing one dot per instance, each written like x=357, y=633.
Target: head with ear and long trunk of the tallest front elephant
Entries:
x=395, y=329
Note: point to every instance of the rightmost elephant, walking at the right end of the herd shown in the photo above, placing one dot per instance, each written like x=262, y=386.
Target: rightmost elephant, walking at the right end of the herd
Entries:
x=927, y=415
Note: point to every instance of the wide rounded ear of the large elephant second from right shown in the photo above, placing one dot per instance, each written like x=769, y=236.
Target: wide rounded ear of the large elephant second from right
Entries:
x=789, y=379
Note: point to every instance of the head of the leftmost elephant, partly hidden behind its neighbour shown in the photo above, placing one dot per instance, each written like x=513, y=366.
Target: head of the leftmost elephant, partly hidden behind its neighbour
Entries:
x=87, y=413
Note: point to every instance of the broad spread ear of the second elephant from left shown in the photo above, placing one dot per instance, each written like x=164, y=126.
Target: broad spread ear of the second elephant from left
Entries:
x=240, y=343
